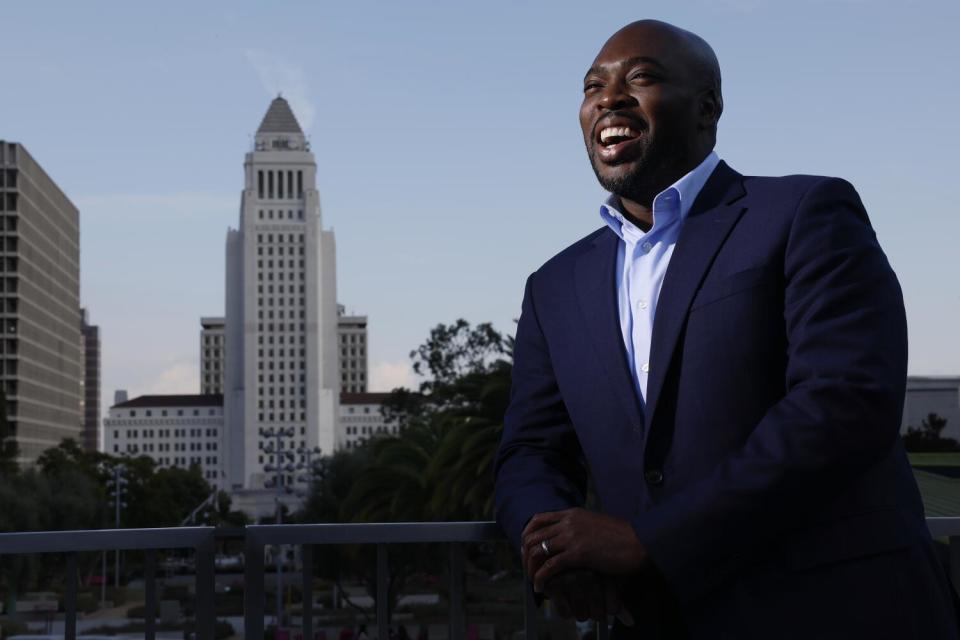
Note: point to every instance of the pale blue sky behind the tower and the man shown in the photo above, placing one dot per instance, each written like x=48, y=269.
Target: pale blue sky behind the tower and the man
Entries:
x=449, y=155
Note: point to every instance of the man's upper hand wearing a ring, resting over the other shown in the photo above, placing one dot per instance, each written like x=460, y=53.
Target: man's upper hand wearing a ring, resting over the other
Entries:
x=579, y=539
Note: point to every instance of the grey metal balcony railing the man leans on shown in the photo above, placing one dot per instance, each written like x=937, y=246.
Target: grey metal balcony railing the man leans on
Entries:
x=256, y=538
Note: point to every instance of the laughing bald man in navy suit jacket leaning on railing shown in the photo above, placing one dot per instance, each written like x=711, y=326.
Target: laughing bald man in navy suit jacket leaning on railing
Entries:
x=725, y=360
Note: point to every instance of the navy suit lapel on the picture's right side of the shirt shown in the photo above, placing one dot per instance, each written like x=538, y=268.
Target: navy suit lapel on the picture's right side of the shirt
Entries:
x=712, y=217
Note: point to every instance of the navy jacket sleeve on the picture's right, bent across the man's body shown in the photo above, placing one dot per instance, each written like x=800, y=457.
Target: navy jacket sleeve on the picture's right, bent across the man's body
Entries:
x=845, y=379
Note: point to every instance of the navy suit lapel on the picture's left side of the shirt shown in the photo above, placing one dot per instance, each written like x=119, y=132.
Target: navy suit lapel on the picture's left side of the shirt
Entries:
x=596, y=286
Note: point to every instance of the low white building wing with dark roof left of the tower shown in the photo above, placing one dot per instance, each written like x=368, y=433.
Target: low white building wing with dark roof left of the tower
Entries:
x=173, y=430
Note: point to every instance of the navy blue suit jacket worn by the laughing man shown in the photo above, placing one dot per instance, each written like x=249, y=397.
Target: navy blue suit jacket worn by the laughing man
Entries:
x=765, y=475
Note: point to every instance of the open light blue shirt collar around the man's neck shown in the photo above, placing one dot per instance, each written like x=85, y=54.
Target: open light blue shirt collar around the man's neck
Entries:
x=672, y=203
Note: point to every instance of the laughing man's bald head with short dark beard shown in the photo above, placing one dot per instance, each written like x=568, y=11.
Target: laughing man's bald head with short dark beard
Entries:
x=649, y=109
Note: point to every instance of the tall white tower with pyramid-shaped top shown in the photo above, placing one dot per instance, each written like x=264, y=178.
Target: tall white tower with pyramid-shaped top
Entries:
x=281, y=314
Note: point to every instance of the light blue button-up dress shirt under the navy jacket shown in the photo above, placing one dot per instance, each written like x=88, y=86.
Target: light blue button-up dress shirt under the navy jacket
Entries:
x=642, y=260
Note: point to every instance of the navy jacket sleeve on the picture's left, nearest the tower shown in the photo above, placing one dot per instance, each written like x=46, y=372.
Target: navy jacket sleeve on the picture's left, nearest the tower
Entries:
x=539, y=465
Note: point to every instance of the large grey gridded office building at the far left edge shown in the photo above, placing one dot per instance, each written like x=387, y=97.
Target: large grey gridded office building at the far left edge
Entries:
x=40, y=339
